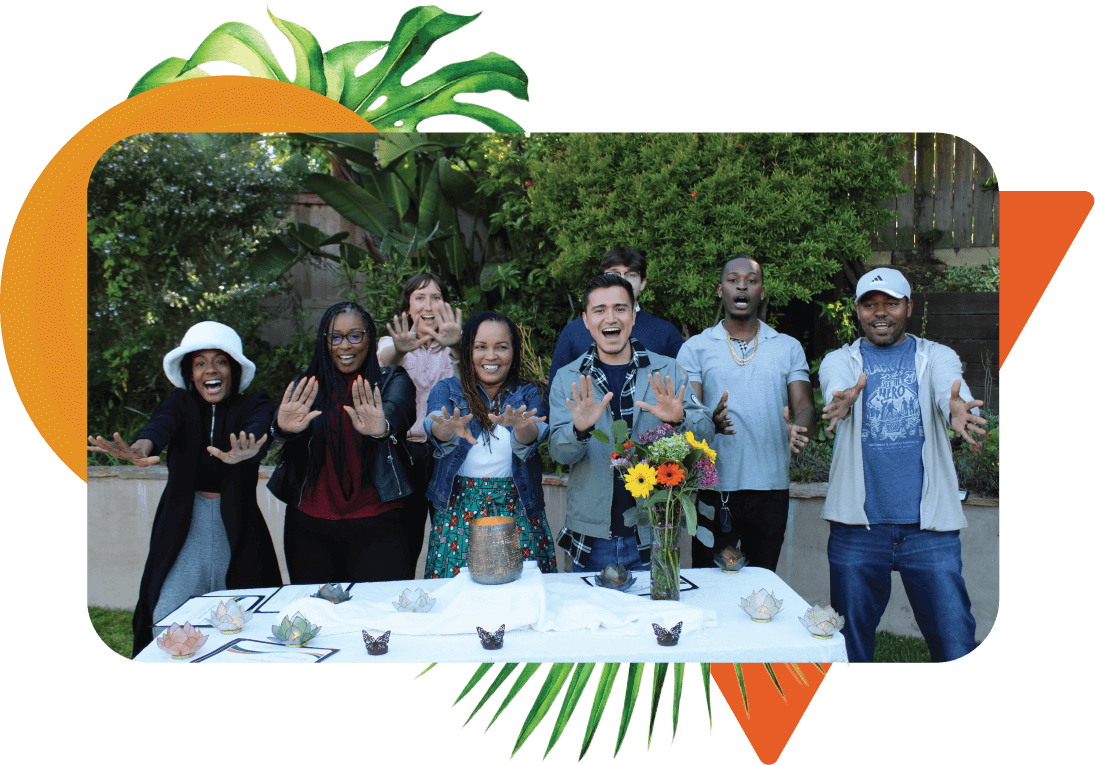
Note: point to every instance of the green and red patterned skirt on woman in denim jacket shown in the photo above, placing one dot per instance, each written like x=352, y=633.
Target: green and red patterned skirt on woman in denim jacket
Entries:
x=474, y=499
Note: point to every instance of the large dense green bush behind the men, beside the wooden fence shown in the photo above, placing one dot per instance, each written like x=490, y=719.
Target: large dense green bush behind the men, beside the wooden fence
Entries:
x=803, y=204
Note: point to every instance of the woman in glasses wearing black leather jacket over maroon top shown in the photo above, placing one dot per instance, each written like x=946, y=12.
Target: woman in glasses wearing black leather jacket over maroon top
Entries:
x=341, y=472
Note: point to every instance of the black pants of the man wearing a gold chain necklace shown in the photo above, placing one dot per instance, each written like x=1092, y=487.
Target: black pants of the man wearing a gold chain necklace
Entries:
x=753, y=520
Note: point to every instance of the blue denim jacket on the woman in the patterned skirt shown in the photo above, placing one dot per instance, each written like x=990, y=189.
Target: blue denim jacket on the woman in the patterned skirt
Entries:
x=451, y=456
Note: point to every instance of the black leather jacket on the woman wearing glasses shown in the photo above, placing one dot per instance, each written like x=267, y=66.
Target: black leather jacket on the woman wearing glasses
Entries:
x=391, y=456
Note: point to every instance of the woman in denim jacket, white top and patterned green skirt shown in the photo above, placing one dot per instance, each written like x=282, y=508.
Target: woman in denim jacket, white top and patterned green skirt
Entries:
x=487, y=461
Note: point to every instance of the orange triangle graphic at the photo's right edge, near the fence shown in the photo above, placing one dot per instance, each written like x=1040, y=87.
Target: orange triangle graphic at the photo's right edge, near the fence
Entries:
x=1039, y=224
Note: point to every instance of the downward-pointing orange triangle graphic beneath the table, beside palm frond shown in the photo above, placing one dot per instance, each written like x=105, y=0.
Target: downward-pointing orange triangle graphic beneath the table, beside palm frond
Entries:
x=773, y=718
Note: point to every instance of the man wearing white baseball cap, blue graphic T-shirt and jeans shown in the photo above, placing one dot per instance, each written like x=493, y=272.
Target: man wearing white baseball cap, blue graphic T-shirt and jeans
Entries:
x=893, y=502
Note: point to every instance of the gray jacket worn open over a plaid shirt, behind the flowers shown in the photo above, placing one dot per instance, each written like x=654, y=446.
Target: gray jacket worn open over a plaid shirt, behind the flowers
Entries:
x=590, y=488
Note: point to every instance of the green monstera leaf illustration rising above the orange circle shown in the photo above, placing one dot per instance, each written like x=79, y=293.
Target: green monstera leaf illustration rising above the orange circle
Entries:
x=379, y=95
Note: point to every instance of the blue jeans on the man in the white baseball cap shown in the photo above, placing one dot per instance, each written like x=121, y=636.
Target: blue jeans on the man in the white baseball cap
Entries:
x=930, y=563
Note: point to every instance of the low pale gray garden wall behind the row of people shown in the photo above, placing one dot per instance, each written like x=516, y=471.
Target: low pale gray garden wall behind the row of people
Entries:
x=122, y=504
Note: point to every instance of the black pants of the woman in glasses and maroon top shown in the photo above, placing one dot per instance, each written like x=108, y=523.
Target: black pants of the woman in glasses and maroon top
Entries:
x=360, y=550
